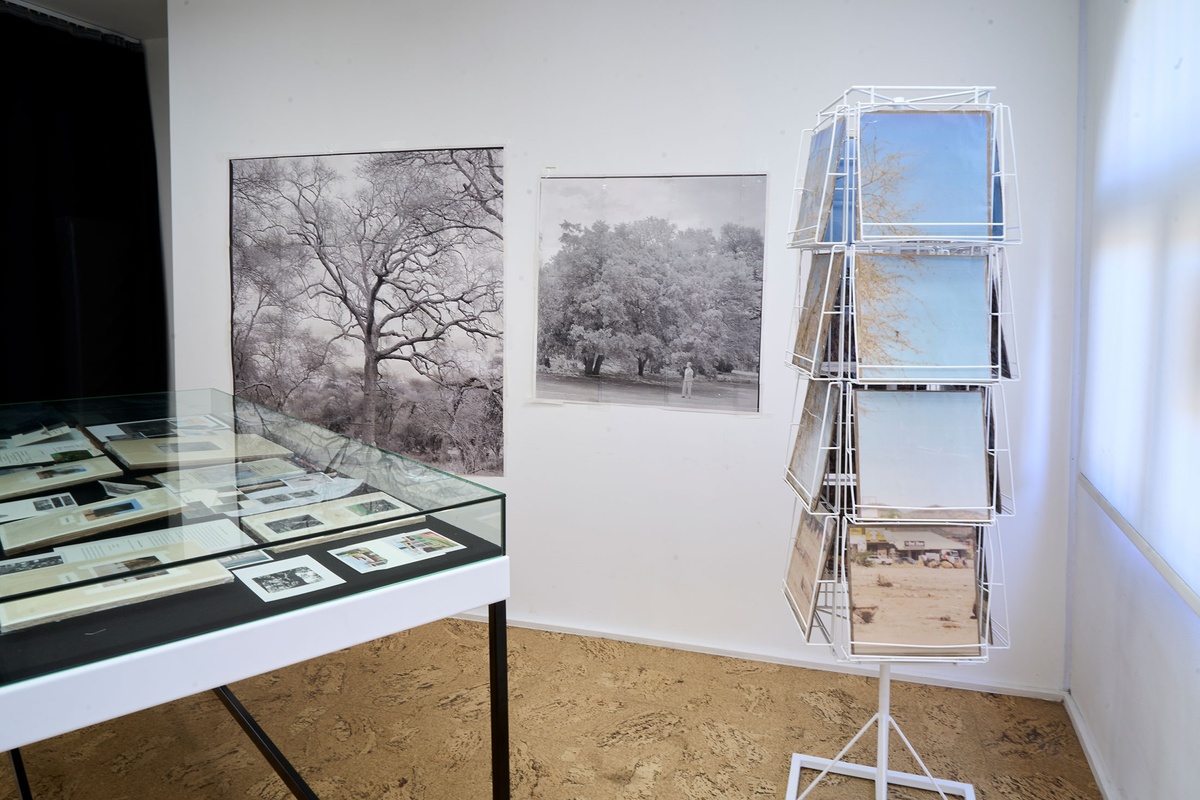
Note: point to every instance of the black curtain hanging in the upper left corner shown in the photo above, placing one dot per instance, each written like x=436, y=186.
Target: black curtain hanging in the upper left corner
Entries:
x=83, y=309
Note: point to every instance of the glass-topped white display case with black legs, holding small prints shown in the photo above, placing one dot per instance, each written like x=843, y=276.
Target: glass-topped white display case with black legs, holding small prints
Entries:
x=205, y=534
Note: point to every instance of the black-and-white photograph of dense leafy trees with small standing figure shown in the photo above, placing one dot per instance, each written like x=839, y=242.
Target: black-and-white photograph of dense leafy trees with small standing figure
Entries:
x=650, y=291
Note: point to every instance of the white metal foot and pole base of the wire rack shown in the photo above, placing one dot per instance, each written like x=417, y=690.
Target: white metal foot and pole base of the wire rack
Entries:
x=883, y=777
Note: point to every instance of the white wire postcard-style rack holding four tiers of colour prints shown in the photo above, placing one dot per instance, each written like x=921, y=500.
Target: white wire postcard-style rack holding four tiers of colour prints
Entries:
x=905, y=202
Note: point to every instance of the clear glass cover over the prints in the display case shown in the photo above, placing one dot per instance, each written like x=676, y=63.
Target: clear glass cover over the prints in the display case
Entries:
x=118, y=501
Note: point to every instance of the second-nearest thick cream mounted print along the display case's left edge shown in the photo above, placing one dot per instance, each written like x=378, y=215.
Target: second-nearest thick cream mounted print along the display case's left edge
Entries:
x=77, y=522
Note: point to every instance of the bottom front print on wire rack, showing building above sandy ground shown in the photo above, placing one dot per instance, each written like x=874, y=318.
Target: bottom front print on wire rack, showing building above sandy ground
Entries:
x=914, y=592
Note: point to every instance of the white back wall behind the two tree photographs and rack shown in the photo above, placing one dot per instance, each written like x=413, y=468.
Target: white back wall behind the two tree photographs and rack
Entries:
x=646, y=524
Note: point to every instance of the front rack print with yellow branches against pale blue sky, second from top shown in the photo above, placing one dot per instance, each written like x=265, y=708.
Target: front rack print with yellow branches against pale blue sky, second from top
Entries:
x=922, y=318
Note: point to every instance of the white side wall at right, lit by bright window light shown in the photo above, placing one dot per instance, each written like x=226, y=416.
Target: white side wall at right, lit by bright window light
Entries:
x=1135, y=622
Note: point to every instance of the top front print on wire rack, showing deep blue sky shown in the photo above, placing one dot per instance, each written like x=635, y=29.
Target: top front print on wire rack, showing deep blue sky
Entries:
x=926, y=176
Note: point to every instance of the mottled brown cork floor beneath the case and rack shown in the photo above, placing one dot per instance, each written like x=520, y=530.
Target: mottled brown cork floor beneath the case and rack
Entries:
x=406, y=718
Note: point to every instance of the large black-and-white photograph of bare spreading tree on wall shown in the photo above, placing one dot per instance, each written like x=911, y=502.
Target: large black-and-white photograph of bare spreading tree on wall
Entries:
x=368, y=298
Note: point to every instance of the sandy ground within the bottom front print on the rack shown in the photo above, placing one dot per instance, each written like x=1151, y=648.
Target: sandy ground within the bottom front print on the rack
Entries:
x=922, y=606
